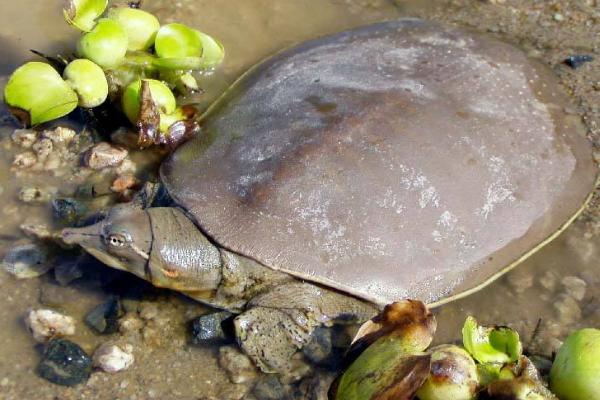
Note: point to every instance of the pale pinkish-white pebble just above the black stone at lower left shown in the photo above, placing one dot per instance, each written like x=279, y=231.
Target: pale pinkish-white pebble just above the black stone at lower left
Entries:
x=45, y=324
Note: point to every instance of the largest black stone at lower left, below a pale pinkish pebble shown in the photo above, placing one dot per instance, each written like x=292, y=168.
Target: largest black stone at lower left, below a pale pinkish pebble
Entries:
x=64, y=363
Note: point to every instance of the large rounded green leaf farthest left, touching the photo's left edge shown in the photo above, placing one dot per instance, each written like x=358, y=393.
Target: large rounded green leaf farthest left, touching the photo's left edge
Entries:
x=38, y=89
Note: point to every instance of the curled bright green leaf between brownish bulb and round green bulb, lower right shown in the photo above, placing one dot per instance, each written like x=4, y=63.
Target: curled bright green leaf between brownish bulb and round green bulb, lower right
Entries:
x=498, y=345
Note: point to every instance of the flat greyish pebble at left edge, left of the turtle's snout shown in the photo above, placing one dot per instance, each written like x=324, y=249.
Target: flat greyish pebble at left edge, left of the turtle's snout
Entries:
x=28, y=260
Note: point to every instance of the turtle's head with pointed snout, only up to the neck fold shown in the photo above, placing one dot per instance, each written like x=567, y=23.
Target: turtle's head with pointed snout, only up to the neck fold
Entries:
x=122, y=240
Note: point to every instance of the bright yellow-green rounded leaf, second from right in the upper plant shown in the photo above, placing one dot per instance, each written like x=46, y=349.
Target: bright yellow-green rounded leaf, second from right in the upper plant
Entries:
x=177, y=41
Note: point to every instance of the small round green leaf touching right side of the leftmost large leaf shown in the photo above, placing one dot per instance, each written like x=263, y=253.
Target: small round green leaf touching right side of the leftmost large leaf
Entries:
x=88, y=81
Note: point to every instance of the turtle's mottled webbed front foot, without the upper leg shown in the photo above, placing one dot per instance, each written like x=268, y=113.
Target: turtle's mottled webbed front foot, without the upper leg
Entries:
x=270, y=337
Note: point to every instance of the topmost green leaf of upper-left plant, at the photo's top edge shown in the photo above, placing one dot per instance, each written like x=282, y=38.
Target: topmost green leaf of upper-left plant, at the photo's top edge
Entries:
x=140, y=25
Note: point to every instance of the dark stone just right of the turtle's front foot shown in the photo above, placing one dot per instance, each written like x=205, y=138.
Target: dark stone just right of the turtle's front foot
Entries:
x=326, y=347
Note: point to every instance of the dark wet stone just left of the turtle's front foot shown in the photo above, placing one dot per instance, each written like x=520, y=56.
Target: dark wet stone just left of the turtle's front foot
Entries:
x=214, y=328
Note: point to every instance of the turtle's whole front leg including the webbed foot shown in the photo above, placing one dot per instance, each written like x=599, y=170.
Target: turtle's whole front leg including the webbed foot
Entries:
x=278, y=323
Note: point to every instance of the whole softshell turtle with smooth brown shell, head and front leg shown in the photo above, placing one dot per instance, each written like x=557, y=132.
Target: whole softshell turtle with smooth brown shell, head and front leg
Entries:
x=402, y=159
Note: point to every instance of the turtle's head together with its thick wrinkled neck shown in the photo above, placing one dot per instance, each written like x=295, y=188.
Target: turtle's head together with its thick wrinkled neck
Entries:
x=160, y=245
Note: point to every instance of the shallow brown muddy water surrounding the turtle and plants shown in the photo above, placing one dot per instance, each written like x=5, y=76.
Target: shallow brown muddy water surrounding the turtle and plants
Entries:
x=555, y=291
